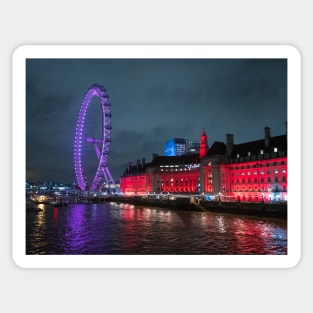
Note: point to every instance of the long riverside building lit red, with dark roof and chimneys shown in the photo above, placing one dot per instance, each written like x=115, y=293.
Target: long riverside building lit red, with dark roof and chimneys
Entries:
x=253, y=171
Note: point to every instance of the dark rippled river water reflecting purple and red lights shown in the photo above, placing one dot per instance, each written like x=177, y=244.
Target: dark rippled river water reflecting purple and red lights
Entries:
x=111, y=228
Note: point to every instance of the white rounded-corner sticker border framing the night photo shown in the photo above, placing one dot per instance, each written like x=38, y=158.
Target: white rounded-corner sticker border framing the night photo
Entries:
x=155, y=51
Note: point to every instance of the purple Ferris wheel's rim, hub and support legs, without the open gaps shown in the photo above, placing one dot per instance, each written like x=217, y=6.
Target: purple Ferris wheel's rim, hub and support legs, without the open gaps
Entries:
x=101, y=145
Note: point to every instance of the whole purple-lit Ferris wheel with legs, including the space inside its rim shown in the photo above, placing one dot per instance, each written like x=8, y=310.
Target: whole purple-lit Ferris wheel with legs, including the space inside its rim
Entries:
x=99, y=142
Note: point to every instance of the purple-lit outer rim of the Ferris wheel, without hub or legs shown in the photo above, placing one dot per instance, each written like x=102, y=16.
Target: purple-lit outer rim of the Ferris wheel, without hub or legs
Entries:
x=98, y=91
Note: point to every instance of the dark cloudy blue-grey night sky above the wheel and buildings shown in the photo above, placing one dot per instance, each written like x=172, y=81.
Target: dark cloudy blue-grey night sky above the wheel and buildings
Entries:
x=152, y=101
